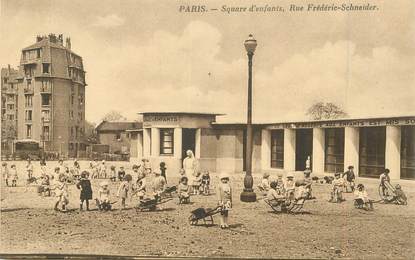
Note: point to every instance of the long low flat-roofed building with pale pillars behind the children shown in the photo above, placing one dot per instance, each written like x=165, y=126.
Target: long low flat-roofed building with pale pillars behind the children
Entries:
x=370, y=144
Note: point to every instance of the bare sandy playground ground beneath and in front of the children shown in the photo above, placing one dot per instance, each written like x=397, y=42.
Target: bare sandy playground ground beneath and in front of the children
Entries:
x=29, y=225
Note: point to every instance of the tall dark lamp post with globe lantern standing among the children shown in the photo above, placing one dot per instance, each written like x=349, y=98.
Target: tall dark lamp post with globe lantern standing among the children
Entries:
x=248, y=194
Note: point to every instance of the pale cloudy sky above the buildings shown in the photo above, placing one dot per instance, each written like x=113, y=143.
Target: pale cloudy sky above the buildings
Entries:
x=147, y=56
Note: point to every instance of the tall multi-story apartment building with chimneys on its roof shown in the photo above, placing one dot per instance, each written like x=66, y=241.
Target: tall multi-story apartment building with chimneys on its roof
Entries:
x=51, y=96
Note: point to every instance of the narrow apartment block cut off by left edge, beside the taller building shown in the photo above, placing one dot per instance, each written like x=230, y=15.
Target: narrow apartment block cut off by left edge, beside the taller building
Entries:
x=9, y=86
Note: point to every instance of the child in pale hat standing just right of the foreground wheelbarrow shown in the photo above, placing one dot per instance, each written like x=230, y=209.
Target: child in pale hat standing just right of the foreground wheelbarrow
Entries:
x=224, y=192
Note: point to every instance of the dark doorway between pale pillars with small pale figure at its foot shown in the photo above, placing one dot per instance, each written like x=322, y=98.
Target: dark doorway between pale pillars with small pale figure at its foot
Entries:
x=303, y=148
